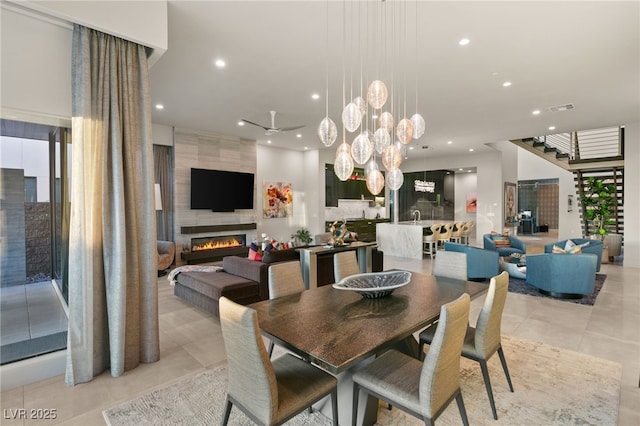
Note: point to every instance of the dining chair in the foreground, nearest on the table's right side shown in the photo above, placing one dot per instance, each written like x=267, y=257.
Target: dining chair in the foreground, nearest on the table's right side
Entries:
x=422, y=389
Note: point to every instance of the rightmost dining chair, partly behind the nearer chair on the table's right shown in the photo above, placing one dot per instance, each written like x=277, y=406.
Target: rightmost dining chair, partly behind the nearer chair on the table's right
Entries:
x=483, y=340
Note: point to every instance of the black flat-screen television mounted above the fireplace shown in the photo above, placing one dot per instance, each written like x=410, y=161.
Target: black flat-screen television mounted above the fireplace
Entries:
x=221, y=190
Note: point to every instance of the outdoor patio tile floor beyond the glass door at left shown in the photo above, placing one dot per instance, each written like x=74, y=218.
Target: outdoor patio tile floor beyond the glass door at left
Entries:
x=30, y=311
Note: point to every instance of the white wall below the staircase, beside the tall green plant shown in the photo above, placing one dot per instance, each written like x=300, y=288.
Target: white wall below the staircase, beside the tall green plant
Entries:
x=531, y=167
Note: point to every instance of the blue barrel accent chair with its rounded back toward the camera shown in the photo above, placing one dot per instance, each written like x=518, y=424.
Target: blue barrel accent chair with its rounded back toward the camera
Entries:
x=562, y=275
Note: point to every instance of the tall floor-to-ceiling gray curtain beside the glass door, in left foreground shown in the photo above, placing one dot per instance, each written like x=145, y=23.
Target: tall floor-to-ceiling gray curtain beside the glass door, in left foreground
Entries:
x=113, y=299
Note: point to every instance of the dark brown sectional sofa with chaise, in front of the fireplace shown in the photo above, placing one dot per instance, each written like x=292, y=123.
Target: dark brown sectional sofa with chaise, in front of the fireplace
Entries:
x=246, y=281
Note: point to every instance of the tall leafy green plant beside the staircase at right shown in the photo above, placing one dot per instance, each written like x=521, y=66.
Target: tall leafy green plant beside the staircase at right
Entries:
x=598, y=201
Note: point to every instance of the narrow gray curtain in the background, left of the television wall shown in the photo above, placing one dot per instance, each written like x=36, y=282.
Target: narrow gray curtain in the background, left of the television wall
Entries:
x=163, y=166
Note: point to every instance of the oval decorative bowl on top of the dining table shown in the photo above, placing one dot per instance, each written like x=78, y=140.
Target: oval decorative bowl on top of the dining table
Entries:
x=373, y=285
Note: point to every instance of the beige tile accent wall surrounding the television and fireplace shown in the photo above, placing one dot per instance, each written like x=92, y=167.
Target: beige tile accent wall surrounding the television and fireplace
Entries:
x=195, y=149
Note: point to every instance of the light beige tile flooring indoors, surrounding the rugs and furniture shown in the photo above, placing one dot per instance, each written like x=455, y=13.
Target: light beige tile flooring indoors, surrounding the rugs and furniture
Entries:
x=191, y=341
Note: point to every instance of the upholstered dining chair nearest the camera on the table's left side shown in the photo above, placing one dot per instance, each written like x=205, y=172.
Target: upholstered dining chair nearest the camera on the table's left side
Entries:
x=268, y=392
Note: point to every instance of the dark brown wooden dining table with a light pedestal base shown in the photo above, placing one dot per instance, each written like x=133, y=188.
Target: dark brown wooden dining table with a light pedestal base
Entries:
x=341, y=331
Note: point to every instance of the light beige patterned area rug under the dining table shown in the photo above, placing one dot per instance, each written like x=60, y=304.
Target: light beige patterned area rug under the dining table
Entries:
x=553, y=386
